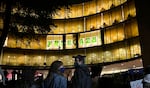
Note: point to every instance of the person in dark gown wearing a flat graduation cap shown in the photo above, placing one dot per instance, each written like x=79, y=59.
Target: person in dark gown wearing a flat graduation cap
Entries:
x=81, y=77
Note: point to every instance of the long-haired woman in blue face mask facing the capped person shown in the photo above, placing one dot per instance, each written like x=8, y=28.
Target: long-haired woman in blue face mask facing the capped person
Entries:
x=55, y=78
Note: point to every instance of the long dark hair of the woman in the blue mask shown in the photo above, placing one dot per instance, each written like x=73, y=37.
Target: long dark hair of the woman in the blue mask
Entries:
x=54, y=68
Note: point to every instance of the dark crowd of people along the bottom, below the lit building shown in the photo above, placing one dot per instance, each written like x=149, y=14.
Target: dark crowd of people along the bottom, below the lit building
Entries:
x=82, y=77
